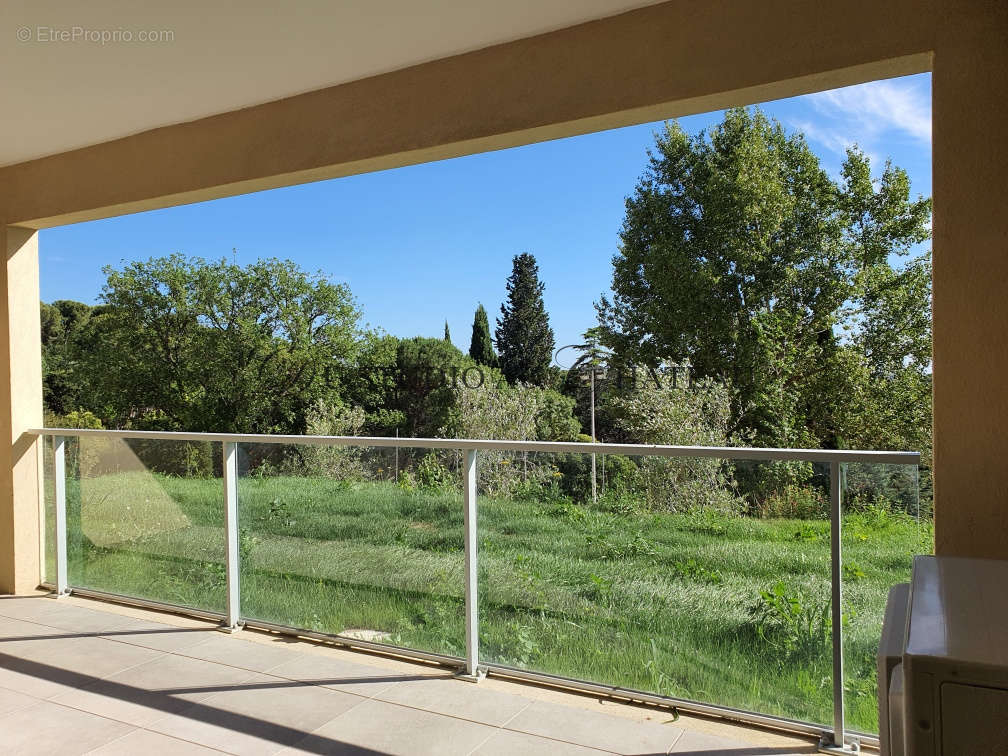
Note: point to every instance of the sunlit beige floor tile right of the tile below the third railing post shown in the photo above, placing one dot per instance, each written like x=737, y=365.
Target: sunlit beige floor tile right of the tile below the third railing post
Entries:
x=595, y=730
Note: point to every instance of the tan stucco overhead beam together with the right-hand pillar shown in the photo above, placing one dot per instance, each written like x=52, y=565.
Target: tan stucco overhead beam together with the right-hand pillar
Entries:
x=678, y=58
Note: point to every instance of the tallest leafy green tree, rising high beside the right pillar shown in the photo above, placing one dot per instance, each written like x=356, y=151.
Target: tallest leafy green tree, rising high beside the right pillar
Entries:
x=740, y=256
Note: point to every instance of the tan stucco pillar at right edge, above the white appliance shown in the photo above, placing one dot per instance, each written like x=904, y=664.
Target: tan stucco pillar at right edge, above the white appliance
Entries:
x=970, y=169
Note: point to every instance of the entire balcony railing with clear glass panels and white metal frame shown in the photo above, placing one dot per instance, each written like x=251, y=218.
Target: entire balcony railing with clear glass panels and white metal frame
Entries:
x=699, y=577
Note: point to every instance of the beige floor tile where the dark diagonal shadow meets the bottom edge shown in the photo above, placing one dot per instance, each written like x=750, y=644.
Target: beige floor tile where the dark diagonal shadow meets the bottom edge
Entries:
x=383, y=728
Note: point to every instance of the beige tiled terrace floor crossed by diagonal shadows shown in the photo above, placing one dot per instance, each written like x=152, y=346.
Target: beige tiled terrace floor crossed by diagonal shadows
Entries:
x=81, y=677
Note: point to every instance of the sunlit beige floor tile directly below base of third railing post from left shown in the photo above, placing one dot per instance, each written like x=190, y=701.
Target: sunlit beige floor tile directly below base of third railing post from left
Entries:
x=456, y=698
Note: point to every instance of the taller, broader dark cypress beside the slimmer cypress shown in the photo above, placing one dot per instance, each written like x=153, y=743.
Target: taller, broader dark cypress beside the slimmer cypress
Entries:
x=525, y=338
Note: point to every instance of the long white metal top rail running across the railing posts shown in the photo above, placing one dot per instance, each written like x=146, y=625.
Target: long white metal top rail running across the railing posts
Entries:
x=632, y=450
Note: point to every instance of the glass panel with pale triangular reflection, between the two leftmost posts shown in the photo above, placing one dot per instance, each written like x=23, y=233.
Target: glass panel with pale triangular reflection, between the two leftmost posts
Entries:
x=146, y=519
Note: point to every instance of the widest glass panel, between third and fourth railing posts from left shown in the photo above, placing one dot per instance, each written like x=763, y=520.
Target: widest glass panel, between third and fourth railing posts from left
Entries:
x=664, y=582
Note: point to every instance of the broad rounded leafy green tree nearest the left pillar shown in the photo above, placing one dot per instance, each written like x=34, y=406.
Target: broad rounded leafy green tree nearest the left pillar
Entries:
x=185, y=343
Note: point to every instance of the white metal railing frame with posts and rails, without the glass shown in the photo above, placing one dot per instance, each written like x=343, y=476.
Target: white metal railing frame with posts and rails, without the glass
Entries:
x=834, y=740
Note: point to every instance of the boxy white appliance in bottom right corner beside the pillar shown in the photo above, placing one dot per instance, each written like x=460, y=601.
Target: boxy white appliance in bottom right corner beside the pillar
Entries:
x=944, y=661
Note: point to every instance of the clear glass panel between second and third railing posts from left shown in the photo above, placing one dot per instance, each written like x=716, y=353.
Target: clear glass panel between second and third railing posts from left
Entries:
x=334, y=540
